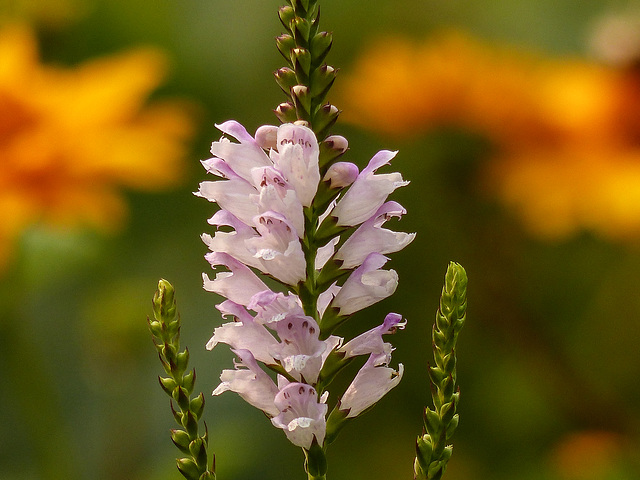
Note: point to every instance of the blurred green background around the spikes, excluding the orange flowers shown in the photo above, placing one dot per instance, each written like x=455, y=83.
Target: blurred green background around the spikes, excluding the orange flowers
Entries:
x=551, y=345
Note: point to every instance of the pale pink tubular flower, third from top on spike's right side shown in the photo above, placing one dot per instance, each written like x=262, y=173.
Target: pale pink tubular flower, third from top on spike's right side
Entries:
x=368, y=284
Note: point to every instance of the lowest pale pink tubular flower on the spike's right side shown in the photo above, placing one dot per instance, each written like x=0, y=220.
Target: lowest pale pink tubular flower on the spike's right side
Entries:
x=372, y=382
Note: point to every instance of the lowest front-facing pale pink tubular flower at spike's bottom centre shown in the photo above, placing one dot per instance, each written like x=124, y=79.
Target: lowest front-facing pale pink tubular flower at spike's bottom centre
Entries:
x=301, y=415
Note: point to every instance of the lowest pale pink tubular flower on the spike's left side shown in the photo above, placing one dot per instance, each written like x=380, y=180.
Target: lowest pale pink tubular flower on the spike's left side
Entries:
x=250, y=382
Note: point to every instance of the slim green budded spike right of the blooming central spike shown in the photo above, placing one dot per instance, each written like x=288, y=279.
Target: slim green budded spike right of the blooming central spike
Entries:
x=432, y=451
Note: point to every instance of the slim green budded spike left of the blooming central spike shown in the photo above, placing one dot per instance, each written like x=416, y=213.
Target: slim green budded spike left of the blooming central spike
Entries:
x=187, y=411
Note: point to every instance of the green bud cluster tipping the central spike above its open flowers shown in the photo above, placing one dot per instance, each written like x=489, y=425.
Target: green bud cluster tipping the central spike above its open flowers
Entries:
x=307, y=79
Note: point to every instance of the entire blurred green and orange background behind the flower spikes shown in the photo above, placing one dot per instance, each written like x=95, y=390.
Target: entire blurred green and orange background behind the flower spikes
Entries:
x=518, y=124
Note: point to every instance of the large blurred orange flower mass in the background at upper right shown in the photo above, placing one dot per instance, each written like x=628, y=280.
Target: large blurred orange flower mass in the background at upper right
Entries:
x=567, y=130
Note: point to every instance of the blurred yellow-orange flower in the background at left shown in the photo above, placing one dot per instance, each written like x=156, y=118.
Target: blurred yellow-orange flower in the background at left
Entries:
x=71, y=138
